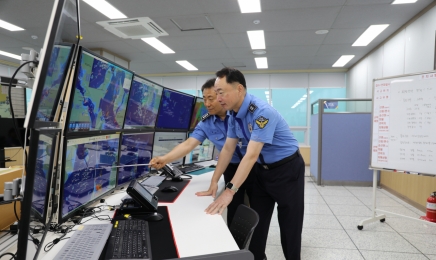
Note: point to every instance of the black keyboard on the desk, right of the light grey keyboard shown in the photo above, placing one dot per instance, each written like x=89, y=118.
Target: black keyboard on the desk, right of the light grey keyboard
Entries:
x=129, y=239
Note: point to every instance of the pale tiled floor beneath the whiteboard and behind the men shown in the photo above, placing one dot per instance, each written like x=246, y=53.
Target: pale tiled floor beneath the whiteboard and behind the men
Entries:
x=332, y=214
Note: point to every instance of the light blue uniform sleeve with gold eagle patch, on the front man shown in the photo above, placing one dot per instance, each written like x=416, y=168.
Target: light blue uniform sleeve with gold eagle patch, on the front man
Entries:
x=264, y=125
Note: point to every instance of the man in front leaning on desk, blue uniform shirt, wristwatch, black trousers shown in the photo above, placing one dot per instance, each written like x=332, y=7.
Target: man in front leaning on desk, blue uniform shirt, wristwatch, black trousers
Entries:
x=278, y=165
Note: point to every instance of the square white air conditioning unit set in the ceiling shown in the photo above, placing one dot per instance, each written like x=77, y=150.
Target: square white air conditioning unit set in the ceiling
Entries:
x=133, y=28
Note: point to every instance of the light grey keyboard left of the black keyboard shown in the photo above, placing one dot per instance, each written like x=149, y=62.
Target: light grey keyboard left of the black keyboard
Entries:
x=87, y=242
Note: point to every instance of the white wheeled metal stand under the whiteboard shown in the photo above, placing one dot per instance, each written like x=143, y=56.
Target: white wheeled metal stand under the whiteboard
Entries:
x=382, y=217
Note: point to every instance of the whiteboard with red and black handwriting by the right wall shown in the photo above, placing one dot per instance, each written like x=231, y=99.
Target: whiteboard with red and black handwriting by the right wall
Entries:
x=404, y=123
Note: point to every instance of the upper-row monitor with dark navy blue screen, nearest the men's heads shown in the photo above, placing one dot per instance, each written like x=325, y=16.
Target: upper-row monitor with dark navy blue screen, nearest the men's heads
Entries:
x=174, y=110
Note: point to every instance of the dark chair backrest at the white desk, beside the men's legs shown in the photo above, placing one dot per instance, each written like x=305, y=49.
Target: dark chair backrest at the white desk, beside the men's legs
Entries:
x=243, y=224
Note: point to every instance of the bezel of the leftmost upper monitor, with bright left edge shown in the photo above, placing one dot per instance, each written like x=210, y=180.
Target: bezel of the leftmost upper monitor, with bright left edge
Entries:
x=40, y=77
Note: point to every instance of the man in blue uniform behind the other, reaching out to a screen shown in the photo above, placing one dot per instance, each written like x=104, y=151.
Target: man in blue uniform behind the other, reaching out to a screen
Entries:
x=213, y=126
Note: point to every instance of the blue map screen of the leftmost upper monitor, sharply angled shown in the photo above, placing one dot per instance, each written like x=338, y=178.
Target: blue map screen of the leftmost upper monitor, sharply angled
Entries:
x=54, y=80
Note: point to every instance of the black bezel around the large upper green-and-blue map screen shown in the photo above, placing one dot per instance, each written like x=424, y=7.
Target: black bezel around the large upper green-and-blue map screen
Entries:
x=73, y=92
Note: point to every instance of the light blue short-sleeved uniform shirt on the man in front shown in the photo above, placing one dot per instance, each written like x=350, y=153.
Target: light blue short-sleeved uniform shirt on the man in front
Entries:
x=256, y=120
